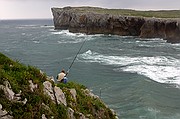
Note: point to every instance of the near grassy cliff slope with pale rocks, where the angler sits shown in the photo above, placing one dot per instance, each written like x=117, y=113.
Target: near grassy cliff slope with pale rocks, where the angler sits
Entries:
x=27, y=93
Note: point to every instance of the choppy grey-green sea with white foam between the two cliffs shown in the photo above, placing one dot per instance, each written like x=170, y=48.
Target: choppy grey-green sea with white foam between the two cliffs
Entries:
x=139, y=78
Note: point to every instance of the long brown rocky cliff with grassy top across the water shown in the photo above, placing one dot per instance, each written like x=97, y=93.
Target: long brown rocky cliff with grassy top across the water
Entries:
x=91, y=20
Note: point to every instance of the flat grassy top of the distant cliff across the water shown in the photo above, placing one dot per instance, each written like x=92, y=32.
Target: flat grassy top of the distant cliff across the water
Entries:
x=125, y=12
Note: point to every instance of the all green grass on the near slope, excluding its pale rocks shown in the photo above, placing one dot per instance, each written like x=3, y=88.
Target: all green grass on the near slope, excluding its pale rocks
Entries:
x=18, y=75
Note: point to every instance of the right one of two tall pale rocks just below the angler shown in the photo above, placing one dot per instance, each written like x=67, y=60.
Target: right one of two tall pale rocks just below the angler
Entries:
x=61, y=99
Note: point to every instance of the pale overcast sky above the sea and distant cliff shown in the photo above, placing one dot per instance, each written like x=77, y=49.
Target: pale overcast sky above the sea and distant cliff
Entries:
x=29, y=9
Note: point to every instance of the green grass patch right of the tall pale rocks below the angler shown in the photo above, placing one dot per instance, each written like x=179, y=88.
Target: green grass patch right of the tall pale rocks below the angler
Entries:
x=84, y=104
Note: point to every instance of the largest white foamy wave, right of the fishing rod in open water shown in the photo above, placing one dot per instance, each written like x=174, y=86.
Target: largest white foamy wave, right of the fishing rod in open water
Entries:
x=158, y=68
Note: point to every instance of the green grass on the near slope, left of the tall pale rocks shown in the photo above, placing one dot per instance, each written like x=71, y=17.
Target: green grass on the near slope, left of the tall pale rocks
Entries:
x=18, y=75
